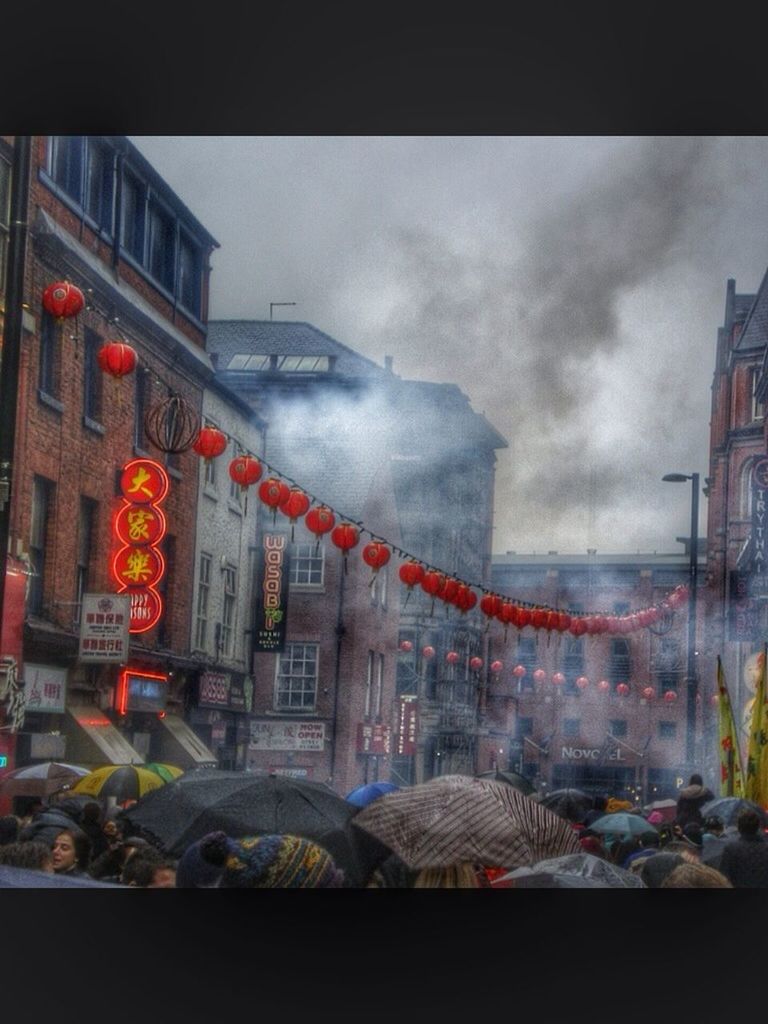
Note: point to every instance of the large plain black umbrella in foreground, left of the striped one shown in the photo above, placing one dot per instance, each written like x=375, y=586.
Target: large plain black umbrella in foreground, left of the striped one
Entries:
x=244, y=804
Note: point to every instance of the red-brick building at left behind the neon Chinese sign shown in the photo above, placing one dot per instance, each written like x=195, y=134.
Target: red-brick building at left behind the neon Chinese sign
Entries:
x=101, y=218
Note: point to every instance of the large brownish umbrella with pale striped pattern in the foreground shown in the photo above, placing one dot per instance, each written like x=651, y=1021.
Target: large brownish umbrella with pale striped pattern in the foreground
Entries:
x=456, y=819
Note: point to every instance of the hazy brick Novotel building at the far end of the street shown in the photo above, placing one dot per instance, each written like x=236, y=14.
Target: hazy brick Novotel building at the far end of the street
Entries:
x=590, y=736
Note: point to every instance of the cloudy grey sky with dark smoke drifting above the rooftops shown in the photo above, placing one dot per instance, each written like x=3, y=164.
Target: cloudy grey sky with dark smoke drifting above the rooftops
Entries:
x=571, y=286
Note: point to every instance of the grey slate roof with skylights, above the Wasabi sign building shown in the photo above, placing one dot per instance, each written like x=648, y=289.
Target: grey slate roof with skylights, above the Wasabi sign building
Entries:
x=229, y=338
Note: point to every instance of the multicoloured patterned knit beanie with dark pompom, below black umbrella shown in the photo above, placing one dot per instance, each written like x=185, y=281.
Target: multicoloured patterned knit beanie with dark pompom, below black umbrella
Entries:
x=271, y=863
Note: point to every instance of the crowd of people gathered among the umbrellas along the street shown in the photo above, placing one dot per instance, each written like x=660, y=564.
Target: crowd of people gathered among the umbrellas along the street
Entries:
x=78, y=840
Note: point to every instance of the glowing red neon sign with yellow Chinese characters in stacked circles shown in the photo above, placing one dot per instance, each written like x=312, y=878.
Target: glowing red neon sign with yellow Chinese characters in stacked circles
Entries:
x=140, y=527
